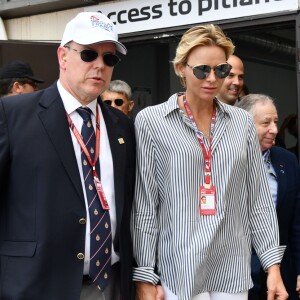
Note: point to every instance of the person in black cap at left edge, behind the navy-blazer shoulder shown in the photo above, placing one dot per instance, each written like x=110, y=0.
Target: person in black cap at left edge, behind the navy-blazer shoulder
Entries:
x=17, y=78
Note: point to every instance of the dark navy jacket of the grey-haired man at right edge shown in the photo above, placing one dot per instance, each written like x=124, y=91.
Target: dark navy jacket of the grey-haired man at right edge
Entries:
x=287, y=170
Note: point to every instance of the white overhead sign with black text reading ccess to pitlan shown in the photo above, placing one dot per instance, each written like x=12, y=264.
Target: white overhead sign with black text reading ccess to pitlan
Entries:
x=139, y=15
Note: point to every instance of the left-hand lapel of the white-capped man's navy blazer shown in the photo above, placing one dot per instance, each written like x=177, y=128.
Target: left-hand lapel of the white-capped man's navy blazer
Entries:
x=53, y=117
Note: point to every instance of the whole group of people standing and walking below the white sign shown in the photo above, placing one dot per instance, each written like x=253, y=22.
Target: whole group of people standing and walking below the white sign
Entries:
x=189, y=201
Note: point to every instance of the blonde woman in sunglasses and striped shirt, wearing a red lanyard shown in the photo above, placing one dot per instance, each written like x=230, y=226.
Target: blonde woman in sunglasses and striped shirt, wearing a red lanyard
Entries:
x=193, y=146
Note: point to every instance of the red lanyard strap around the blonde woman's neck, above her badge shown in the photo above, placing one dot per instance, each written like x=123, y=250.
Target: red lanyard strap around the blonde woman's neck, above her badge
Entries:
x=206, y=154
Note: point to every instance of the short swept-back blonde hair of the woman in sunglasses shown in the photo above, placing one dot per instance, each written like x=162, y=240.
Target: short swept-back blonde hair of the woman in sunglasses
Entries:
x=201, y=35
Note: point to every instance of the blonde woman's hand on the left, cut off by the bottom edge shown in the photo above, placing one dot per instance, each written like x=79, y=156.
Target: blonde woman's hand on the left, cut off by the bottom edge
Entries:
x=148, y=291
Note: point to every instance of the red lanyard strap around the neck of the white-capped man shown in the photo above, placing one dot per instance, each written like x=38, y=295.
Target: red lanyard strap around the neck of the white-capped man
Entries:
x=82, y=144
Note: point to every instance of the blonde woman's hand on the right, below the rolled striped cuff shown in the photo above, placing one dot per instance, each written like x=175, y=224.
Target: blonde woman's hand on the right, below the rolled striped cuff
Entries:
x=276, y=289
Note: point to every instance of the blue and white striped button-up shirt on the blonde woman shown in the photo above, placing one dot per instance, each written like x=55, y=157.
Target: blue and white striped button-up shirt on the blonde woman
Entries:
x=194, y=253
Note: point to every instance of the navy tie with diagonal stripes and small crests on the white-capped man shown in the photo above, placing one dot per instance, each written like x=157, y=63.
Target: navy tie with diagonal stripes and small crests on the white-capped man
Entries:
x=100, y=228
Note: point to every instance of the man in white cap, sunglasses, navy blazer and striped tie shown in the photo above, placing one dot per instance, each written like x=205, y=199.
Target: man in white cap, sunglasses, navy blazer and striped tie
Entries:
x=45, y=231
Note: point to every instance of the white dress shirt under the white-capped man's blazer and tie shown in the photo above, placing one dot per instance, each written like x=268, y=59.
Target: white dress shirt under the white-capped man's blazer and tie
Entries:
x=106, y=166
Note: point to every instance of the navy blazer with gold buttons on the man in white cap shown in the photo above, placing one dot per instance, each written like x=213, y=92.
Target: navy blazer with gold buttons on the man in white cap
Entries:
x=41, y=198
